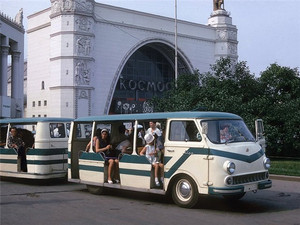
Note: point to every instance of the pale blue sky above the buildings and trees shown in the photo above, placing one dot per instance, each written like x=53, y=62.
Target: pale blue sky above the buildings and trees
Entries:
x=268, y=30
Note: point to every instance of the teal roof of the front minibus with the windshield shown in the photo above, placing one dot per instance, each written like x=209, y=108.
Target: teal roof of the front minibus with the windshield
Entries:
x=157, y=116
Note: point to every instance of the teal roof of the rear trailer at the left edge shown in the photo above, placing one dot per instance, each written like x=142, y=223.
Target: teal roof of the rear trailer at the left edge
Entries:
x=34, y=120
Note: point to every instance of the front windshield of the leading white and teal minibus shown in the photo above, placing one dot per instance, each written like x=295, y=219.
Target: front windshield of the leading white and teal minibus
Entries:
x=227, y=131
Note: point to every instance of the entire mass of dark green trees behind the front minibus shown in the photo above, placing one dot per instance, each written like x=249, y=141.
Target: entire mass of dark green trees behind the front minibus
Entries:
x=230, y=87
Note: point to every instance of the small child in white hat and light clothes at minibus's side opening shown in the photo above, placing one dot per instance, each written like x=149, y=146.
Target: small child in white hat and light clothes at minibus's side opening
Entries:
x=151, y=154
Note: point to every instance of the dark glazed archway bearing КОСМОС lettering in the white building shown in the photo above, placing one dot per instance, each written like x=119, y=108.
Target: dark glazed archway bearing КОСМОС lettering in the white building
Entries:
x=147, y=73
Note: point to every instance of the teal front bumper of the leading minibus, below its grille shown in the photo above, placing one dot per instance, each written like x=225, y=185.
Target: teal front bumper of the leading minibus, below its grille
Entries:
x=240, y=188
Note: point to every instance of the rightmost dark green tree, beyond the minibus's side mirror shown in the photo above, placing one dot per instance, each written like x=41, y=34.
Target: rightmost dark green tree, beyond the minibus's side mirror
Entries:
x=281, y=109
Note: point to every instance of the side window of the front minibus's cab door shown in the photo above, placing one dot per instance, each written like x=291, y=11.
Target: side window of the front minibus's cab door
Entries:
x=184, y=131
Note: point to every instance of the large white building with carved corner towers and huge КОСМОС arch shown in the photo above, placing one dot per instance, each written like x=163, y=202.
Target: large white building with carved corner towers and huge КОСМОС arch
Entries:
x=87, y=58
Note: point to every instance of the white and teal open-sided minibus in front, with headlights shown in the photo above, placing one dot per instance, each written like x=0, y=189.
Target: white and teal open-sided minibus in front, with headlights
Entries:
x=196, y=160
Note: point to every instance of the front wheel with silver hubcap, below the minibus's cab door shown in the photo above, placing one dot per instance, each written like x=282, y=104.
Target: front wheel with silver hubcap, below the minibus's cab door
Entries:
x=184, y=192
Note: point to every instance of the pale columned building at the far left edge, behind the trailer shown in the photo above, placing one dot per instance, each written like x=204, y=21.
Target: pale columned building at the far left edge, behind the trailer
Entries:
x=12, y=52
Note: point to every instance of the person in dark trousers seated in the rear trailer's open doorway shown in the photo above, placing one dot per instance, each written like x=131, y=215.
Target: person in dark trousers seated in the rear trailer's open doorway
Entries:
x=14, y=141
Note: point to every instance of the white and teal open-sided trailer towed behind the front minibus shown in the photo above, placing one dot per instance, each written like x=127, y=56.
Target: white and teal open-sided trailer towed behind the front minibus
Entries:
x=45, y=141
